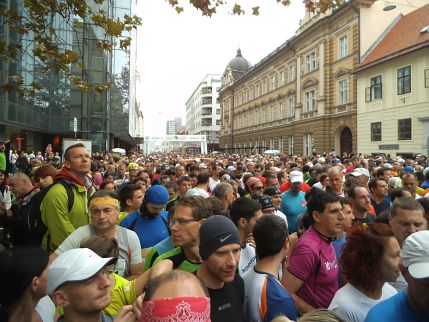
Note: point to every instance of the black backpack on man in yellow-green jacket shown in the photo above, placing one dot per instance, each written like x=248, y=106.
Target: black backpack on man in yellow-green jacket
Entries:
x=39, y=229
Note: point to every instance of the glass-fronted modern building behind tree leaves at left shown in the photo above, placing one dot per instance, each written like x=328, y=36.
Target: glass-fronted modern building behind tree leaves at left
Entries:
x=109, y=119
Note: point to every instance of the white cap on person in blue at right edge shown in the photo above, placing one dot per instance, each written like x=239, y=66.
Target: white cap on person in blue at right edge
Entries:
x=415, y=254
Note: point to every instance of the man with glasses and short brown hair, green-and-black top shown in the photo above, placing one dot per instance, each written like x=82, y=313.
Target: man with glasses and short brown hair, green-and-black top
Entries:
x=189, y=214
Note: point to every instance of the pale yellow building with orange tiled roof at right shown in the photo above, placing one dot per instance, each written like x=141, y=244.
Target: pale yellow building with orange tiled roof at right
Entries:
x=393, y=87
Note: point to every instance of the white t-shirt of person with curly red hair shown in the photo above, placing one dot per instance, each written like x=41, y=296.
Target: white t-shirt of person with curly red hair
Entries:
x=351, y=303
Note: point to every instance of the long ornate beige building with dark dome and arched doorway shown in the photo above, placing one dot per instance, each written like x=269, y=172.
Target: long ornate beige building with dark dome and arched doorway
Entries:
x=302, y=96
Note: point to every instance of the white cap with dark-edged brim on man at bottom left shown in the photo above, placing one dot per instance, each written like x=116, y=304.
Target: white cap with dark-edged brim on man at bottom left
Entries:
x=75, y=265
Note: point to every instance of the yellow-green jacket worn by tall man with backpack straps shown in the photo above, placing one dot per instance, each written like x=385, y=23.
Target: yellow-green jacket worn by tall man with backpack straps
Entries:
x=59, y=222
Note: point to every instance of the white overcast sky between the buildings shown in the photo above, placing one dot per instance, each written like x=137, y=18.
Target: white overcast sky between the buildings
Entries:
x=176, y=51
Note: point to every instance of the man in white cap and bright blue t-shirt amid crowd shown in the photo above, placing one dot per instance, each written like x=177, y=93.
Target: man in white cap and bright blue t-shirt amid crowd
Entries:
x=293, y=200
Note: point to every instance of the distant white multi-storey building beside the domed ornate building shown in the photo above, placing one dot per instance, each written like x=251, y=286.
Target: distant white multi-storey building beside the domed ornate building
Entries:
x=203, y=110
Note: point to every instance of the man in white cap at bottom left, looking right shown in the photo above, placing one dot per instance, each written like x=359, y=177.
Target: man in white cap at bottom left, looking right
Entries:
x=78, y=281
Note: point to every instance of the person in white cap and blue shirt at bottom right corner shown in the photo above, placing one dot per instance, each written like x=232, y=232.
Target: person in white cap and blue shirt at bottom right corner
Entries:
x=412, y=304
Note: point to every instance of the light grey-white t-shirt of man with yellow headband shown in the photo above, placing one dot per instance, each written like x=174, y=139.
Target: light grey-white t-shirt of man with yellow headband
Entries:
x=128, y=242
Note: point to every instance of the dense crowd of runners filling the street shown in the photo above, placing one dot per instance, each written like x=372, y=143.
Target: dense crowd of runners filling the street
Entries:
x=216, y=237
